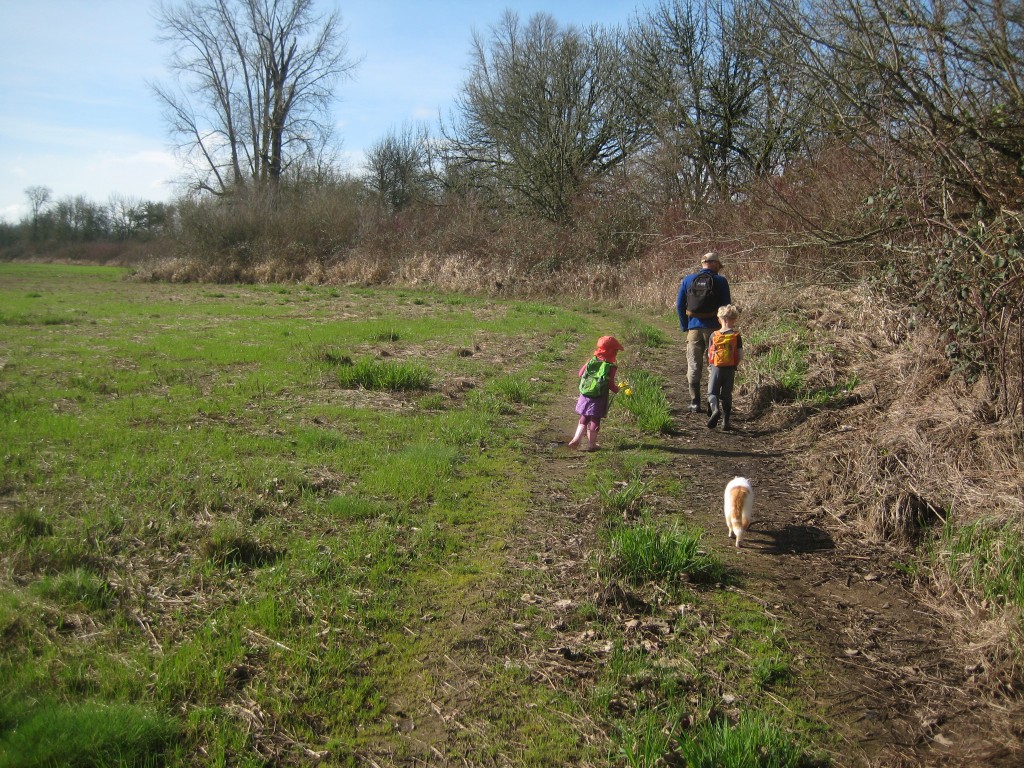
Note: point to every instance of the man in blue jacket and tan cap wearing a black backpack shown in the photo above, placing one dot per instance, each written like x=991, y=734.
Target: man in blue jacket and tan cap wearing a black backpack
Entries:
x=700, y=297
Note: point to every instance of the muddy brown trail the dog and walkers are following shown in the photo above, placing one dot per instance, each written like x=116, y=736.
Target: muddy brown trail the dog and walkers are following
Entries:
x=887, y=679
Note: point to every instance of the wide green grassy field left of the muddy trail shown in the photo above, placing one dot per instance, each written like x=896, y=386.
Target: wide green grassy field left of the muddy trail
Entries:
x=246, y=525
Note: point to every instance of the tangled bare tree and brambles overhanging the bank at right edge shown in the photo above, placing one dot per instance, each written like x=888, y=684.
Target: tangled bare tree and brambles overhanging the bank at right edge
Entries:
x=935, y=89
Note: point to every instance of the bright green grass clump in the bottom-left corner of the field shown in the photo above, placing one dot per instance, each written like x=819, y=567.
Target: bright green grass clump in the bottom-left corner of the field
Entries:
x=83, y=736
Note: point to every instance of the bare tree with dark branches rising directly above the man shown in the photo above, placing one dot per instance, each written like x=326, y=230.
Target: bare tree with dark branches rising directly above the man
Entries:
x=718, y=87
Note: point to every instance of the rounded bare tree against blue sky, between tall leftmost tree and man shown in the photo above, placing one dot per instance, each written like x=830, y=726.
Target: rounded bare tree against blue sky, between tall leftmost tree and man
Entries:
x=542, y=113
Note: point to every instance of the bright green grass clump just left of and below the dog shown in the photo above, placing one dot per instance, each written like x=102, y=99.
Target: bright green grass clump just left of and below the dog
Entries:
x=648, y=553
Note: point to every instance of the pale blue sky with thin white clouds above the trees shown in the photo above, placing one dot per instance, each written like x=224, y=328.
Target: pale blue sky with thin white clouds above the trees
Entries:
x=77, y=115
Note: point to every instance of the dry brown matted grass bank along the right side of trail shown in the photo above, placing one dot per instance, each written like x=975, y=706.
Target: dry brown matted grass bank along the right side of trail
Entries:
x=917, y=449
